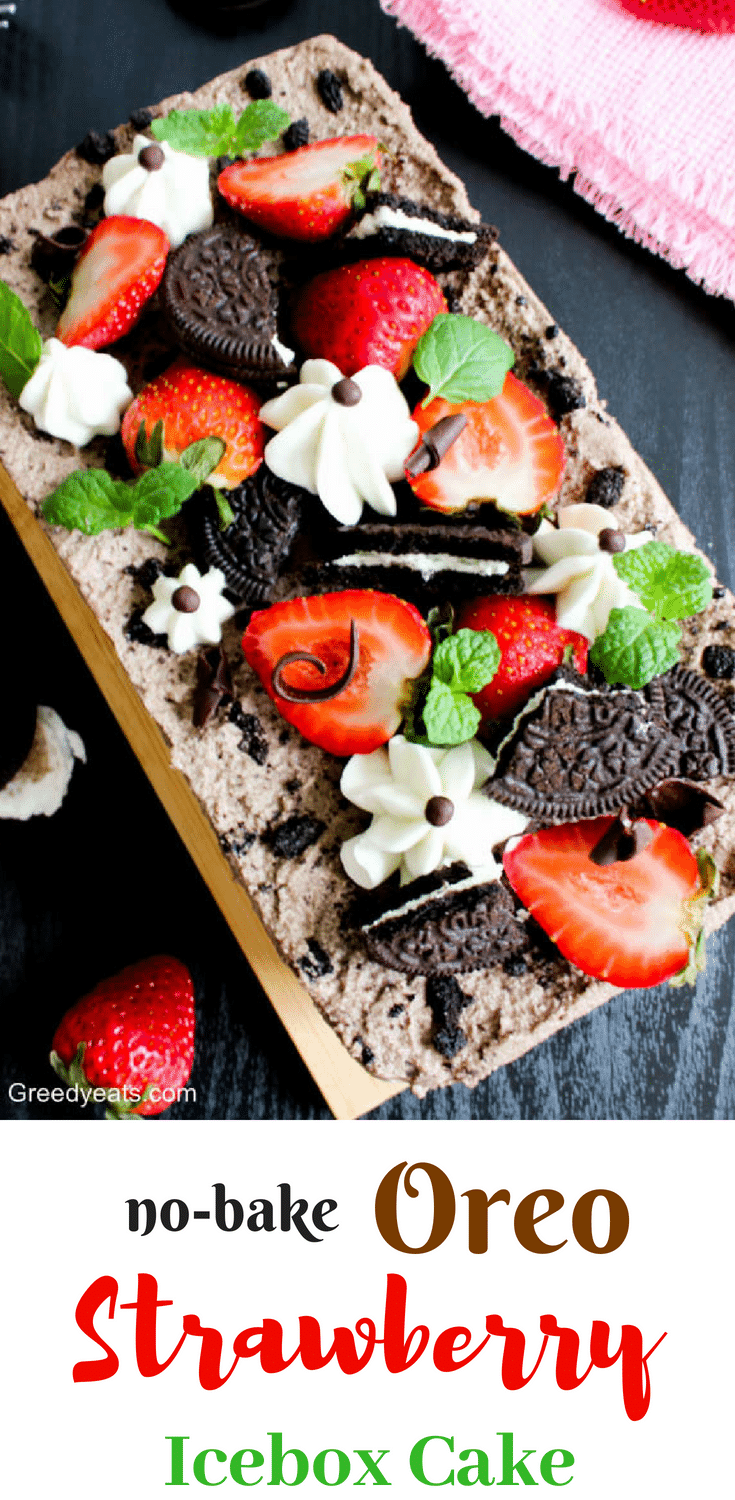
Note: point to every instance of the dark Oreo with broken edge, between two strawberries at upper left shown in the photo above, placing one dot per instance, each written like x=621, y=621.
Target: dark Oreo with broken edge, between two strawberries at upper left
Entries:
x=221, y=308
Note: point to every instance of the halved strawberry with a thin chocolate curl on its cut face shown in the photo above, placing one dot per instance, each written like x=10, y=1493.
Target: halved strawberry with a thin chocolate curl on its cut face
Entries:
x=310, y=646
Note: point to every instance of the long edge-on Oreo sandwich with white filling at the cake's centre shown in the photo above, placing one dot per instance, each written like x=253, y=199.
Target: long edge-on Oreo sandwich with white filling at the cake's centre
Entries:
x=425, y=565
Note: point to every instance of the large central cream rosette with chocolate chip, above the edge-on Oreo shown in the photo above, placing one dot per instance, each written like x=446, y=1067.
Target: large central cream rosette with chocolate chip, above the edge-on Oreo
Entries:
x=343, y=440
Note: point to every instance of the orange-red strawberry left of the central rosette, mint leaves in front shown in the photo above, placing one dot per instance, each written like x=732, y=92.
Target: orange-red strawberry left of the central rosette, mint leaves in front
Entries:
x=194, y=404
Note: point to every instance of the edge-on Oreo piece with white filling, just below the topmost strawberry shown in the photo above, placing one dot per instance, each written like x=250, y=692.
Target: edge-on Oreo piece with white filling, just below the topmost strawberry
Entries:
x=394, y=226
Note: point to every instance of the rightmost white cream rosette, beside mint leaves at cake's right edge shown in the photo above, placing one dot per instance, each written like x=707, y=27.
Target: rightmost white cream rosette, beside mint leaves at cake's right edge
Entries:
x=580, y=572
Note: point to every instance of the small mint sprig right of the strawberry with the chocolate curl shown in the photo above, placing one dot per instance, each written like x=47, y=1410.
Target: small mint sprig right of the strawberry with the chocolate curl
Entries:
x=463, y=664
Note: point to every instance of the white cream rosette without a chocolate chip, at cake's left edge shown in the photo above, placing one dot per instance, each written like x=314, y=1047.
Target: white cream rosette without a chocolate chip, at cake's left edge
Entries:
x=77, y=394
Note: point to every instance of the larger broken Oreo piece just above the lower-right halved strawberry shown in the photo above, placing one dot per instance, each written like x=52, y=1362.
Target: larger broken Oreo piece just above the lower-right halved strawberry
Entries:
x=580, y=752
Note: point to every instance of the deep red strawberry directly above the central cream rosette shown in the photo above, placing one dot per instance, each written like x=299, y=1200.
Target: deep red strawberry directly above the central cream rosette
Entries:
x=371, y=313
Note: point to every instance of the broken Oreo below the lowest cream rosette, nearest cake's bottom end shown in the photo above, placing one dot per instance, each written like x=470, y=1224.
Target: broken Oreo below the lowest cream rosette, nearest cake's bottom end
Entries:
x=445, y=925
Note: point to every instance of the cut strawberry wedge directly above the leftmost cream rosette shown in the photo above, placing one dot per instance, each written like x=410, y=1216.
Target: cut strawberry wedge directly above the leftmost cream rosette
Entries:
x=116, y=275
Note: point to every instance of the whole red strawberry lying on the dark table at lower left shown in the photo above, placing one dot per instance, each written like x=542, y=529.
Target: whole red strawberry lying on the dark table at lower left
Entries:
x=131, y=1036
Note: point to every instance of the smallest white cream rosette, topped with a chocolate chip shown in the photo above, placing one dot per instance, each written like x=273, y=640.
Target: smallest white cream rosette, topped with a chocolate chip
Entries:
x=190, y=610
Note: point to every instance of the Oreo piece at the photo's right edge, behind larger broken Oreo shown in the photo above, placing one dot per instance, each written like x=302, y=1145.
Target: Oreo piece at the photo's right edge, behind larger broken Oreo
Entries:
x=701, y=724
